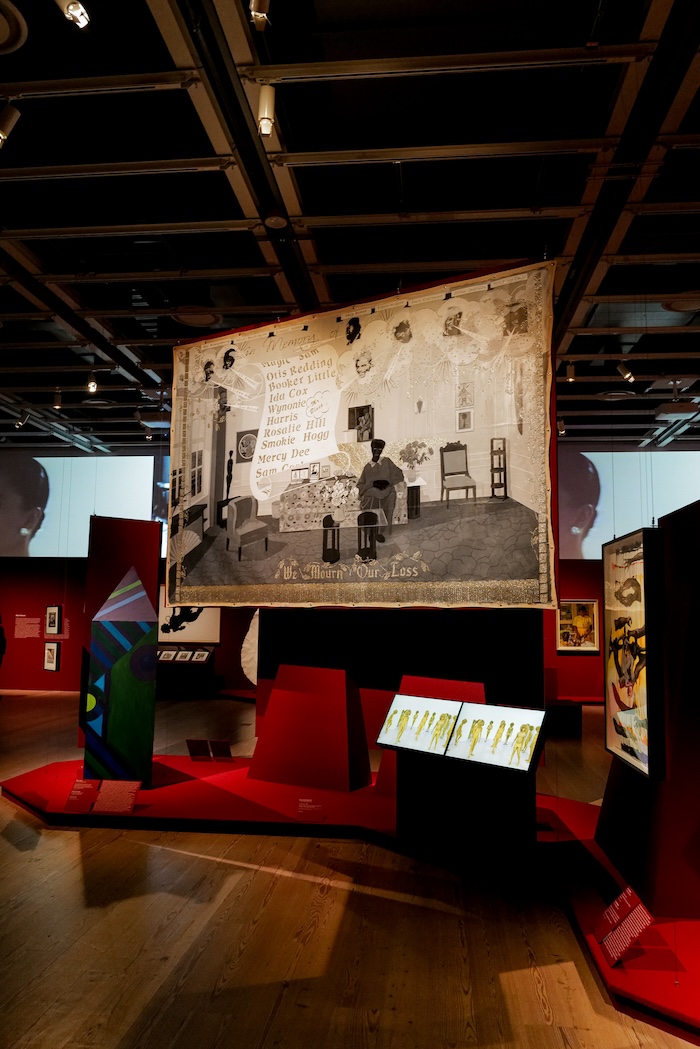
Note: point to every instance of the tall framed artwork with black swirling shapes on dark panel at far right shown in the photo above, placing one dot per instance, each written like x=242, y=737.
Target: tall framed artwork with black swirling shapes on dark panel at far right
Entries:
x=633, y=620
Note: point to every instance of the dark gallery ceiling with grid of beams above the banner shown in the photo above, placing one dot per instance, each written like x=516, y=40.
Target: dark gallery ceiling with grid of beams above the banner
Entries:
x=414, y=142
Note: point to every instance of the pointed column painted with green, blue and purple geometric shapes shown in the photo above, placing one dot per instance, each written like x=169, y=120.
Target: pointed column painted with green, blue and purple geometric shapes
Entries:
x=118, y=714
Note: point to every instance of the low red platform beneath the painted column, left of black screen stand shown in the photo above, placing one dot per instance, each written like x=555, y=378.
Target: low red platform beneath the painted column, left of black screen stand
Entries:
x=207, y=796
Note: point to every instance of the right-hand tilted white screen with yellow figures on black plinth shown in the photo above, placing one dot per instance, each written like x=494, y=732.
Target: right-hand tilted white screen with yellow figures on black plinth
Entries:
x=506, y=737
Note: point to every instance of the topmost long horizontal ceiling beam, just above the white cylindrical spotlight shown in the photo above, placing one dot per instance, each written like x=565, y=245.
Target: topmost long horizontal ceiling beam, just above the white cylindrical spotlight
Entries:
x=305, y=73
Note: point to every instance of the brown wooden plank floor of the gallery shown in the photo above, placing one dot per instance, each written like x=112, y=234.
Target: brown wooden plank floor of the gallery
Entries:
x=147, y=940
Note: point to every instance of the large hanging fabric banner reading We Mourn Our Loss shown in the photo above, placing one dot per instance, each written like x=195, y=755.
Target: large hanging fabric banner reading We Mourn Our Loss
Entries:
x=392, y=454
